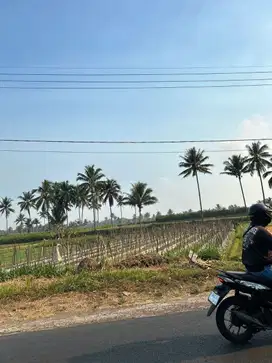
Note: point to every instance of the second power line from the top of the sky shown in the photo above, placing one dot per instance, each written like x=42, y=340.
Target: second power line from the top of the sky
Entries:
x=57, y=74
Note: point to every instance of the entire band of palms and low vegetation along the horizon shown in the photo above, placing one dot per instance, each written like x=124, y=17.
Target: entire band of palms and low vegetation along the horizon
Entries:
x=54, y=200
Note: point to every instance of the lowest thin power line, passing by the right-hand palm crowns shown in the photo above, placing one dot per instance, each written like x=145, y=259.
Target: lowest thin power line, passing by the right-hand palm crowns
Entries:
x=113, y=152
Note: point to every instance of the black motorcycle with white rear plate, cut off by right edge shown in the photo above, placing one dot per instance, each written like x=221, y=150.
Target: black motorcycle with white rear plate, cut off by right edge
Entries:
x=250, y=306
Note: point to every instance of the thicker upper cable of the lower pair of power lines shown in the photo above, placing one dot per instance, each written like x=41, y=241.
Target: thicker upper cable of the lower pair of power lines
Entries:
x=133, y=142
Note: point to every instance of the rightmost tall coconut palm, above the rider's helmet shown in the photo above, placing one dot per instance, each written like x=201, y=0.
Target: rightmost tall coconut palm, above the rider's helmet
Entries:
x=258, y=161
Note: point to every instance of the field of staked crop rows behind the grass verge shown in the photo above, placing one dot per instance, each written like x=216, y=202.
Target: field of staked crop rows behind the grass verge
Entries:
x=117, y=246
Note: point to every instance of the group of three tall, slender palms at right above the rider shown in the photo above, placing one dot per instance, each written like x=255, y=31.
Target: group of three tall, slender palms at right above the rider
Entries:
x=258, y=161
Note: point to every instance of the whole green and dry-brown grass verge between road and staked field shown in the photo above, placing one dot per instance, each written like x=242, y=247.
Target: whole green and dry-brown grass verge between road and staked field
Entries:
x=31, y=293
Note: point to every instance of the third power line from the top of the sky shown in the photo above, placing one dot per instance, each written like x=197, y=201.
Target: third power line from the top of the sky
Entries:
x=134, y=81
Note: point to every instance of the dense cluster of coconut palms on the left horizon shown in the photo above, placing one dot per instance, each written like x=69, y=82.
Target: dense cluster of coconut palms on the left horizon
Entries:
x=54, y=200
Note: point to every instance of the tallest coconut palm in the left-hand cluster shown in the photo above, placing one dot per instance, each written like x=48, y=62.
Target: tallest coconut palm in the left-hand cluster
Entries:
x=91, y=181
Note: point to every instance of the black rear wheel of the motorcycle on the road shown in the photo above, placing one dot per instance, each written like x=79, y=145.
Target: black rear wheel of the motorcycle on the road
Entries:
x=240, y=339
